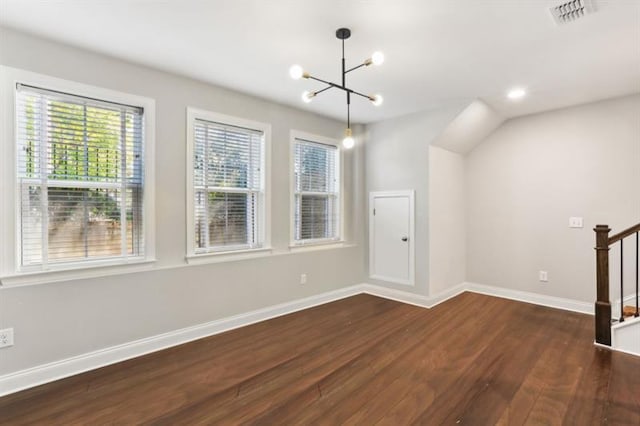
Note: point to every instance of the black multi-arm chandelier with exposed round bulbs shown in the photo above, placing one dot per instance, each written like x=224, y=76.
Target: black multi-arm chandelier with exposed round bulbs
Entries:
x=377, y=58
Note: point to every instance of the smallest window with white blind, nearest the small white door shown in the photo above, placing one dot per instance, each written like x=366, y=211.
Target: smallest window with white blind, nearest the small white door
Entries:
x=316, y=190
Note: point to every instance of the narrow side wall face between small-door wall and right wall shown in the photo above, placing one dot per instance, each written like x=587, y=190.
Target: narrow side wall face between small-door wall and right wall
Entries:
x=447, y=211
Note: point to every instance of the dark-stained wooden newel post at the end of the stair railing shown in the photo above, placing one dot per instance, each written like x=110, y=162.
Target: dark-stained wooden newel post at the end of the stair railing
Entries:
x=603, y=305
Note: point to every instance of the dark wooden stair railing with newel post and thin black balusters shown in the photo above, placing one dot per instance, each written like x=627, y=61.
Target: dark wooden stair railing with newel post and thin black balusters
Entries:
x=603, y=304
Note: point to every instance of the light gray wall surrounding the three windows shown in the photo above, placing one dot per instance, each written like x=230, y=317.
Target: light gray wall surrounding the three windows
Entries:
x=54, y=321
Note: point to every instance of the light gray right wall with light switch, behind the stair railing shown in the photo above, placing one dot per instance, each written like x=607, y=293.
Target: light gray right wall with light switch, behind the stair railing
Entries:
x=525, y=181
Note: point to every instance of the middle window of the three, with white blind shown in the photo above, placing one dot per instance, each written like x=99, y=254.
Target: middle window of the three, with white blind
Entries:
x=227, y=183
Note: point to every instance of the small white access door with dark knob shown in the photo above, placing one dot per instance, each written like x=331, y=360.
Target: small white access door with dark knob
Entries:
x=391, y=249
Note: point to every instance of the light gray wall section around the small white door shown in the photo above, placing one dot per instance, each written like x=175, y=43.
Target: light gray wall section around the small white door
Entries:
x=397, y=158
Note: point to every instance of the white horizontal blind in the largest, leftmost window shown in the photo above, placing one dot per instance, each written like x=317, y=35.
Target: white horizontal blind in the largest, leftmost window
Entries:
x=80, y=178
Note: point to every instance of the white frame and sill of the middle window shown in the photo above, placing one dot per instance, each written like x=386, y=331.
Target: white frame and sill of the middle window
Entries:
x=263, y=223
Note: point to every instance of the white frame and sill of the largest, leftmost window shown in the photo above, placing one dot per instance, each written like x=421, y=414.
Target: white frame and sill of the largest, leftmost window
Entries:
x=11, y=272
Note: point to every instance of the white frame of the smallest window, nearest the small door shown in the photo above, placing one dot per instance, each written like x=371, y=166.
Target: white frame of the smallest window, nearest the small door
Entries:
x=324, y=242
